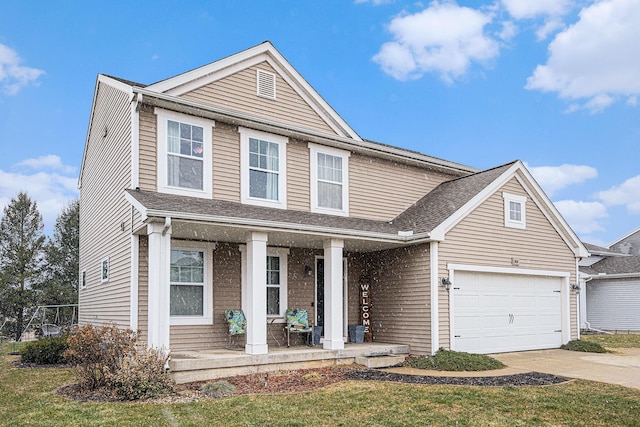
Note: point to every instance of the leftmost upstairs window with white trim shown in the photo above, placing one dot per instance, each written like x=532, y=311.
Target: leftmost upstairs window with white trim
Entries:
x=184, y=154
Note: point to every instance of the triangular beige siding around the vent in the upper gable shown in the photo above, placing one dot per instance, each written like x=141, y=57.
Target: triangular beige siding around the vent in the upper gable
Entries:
x=238, y=92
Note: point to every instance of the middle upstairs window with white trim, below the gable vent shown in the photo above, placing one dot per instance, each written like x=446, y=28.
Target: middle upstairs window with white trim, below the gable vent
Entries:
x=263, y=163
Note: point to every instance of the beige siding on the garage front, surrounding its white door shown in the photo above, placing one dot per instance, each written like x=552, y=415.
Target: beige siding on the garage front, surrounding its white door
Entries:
x=482, y=239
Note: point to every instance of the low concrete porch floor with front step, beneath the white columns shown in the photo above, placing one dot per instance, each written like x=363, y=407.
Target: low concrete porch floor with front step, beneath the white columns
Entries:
x=189, y=366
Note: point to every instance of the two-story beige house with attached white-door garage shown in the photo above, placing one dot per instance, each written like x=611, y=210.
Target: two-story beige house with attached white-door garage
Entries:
x=235, y=185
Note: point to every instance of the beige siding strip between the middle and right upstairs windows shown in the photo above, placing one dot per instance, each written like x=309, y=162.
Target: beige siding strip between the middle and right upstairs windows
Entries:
x=298, y=176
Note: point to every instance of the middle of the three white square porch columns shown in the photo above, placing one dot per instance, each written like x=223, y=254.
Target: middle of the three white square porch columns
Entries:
x=256, y=293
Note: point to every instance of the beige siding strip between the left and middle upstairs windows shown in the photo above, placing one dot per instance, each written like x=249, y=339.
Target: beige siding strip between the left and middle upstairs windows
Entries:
x=226, y=162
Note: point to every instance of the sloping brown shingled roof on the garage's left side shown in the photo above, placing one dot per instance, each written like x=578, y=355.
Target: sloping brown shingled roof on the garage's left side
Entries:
x=438, y=205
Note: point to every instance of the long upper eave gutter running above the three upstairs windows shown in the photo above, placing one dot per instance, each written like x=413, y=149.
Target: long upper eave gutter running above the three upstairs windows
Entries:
x=242, y=119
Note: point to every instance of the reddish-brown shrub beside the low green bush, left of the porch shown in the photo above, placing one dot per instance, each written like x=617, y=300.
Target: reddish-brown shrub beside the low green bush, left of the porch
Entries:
x=97, y=352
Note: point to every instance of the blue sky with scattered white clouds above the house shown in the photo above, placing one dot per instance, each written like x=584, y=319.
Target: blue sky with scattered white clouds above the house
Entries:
x=551, y=82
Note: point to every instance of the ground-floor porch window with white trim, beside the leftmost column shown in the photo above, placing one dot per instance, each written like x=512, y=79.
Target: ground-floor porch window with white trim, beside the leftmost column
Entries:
x=190, y=286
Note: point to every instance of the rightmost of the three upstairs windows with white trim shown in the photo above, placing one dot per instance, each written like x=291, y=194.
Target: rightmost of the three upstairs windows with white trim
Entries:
x=329, y=180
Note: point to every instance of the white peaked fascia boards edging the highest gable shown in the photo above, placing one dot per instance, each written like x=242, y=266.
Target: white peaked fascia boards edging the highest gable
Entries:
x=198, y=77
